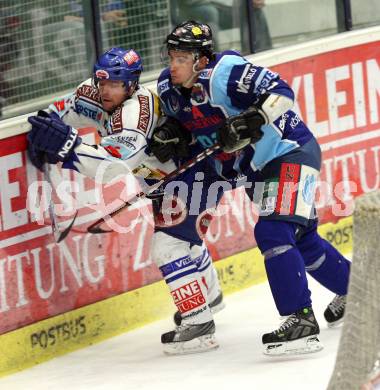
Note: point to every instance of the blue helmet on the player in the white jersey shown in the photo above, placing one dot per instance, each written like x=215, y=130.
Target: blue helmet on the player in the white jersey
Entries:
x=119, y=64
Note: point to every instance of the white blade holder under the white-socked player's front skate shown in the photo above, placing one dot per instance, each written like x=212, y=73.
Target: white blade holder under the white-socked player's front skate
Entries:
x=200, y=344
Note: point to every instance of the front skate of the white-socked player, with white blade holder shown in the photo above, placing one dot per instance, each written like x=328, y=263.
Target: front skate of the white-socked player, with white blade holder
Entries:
x=190, y=338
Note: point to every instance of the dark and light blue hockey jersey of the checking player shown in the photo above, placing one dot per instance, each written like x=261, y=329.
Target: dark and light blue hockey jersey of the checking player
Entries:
x=228, y=86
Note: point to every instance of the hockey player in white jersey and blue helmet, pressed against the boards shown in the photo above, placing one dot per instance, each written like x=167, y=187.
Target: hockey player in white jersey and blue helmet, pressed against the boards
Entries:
x=125, y=115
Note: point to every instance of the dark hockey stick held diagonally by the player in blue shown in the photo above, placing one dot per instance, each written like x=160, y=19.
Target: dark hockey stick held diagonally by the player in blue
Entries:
x=95, y=227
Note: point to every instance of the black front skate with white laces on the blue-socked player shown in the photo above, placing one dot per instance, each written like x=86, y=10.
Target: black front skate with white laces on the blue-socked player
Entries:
x=298, y=334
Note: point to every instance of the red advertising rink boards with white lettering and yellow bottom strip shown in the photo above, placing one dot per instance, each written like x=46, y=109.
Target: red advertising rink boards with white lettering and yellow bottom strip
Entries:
x=336, y=85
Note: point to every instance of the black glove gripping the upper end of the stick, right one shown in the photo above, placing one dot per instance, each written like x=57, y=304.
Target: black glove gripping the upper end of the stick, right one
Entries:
x=240, y=130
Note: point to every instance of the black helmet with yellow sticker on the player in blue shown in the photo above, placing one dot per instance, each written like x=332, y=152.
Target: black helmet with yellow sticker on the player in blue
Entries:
x=191, y=36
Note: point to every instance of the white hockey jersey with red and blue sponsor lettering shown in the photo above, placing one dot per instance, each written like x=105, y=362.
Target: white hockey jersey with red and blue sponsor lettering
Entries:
x=125, y=134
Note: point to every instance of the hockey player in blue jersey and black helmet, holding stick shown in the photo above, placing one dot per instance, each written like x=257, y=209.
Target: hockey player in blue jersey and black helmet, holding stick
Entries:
x=247, y=108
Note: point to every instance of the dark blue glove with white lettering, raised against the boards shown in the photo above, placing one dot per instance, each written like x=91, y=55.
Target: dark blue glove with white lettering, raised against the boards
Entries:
x=53, y=137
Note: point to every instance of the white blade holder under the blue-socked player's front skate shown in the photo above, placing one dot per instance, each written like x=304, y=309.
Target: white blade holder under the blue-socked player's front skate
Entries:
x=309, y=344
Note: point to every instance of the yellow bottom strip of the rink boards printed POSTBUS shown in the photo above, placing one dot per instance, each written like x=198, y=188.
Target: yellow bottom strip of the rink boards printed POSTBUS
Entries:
x=91, y=324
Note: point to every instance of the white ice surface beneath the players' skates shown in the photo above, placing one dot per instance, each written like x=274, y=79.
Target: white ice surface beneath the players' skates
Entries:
x=134, y=360
